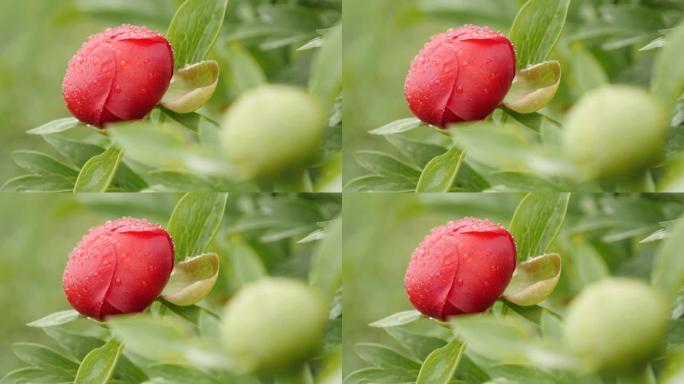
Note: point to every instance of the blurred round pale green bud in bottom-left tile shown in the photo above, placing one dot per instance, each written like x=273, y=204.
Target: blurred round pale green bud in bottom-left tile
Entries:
x=273, y=324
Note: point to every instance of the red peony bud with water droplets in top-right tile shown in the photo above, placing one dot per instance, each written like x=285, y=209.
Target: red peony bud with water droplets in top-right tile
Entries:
x=460, y=75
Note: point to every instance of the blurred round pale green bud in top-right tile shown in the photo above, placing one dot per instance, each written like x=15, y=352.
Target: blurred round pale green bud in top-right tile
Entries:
x=615, y=132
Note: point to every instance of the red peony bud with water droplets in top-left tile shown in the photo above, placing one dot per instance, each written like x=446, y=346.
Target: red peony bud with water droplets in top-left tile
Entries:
x=119, y=74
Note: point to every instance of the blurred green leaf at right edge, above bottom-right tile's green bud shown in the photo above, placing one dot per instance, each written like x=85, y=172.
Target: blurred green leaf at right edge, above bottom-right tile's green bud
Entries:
x=668, y=266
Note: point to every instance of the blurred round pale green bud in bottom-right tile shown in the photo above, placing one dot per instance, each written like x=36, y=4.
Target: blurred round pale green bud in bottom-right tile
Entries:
x=616, y=324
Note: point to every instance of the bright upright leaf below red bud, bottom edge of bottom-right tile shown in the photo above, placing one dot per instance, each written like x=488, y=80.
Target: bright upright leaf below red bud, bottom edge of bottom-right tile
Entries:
x=441, y=364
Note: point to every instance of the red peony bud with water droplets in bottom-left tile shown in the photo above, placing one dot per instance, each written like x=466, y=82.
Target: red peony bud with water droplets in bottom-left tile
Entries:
x=119, y=267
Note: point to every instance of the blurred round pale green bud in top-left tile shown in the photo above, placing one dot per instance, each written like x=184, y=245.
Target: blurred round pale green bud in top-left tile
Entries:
x=273, y=129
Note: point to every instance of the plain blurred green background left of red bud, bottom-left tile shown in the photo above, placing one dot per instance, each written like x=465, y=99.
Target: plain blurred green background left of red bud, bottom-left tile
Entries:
x=37, y=233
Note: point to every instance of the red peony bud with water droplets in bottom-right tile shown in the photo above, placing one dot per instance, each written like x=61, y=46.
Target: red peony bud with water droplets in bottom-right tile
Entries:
x=461, y=267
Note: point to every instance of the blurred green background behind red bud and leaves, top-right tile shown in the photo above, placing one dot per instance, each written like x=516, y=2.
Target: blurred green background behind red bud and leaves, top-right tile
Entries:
x=604, y=41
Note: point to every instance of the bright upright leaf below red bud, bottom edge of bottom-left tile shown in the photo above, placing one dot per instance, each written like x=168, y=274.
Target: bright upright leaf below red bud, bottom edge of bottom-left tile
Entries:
x=98, y=365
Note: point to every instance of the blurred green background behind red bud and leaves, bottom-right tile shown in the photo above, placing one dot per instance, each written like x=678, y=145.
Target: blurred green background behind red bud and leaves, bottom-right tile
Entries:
x=603, y=234
